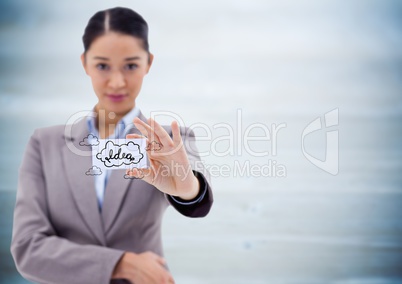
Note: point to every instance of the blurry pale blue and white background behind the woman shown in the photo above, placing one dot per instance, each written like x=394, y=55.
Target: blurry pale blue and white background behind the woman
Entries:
x=278, y=62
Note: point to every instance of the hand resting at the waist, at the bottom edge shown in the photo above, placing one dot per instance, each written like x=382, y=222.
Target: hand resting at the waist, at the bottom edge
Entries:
x=143, y=268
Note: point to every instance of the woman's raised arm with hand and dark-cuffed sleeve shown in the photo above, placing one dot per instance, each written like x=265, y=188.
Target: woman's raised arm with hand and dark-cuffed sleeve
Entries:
x=176, y=168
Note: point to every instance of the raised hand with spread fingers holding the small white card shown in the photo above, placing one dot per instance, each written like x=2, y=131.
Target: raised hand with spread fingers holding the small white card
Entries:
x=170, y=170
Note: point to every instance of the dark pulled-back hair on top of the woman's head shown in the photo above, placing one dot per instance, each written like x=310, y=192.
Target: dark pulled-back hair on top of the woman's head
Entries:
x=118, y=19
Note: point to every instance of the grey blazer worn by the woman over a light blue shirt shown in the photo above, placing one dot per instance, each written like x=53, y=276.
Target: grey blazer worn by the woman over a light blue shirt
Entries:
x=59, y=235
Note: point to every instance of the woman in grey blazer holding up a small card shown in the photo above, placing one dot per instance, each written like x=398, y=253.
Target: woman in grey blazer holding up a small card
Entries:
x=74, y=227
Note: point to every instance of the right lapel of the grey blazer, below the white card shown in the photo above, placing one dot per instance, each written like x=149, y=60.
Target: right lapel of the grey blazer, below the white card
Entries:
x=115, y=190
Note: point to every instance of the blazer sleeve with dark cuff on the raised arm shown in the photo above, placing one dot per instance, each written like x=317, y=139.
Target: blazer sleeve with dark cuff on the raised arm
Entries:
x=202, y=203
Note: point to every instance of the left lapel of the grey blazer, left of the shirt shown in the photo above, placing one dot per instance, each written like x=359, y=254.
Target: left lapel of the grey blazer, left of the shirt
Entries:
x=77, y=161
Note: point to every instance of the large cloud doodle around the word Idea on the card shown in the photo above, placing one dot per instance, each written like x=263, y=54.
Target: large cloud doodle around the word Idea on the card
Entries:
x=114, y=155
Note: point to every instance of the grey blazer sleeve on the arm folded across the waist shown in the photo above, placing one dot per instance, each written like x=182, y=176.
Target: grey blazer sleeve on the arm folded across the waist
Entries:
x=39, y=254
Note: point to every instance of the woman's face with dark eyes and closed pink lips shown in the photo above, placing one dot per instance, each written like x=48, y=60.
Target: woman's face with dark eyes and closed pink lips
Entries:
x=117, y=64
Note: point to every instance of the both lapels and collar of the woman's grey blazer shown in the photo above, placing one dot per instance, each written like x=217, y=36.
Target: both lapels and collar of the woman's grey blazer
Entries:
x=77, y=161
